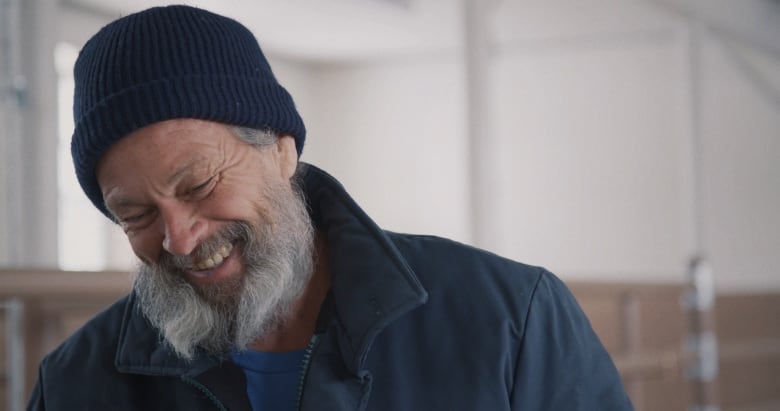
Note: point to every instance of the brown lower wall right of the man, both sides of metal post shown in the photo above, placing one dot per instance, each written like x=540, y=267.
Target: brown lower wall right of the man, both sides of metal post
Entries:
x=644, y=327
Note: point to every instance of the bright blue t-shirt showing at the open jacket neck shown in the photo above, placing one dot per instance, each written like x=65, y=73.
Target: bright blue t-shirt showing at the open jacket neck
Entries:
x=271, y=378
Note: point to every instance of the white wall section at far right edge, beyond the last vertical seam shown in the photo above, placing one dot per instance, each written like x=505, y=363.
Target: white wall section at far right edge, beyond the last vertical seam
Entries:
x=741, y=122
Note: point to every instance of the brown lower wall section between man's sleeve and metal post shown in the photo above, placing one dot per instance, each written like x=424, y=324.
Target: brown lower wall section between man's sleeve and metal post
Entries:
x=642, y=327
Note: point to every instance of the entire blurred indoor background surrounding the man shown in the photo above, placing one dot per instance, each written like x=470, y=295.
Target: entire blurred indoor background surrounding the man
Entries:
x=630, y=146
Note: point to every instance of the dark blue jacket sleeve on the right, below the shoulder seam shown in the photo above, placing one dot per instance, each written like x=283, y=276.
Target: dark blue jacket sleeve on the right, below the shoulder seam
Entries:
x=562, y=364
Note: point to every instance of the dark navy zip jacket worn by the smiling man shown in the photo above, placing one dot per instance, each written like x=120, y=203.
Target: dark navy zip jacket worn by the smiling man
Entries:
x=412, y=323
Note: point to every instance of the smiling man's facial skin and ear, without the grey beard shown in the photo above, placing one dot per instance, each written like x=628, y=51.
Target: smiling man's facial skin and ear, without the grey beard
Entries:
x=172, y=185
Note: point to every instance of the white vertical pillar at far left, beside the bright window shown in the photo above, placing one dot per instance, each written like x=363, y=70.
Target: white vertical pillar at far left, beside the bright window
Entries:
x=36, y=232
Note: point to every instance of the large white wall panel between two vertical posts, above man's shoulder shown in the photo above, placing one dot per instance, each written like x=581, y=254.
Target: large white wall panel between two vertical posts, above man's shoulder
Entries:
x=597, y=152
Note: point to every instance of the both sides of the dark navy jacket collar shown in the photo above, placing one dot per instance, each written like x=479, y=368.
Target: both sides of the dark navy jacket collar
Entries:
x=372, y=285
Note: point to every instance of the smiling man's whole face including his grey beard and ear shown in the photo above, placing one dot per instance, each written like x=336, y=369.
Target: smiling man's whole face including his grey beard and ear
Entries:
x=224, y=240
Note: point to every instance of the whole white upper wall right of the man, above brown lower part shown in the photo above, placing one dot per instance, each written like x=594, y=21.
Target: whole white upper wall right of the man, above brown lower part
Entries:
x=601, y=133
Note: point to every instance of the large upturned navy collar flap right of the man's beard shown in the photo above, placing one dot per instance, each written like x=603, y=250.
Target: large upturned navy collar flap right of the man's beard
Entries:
x=372, y=284
